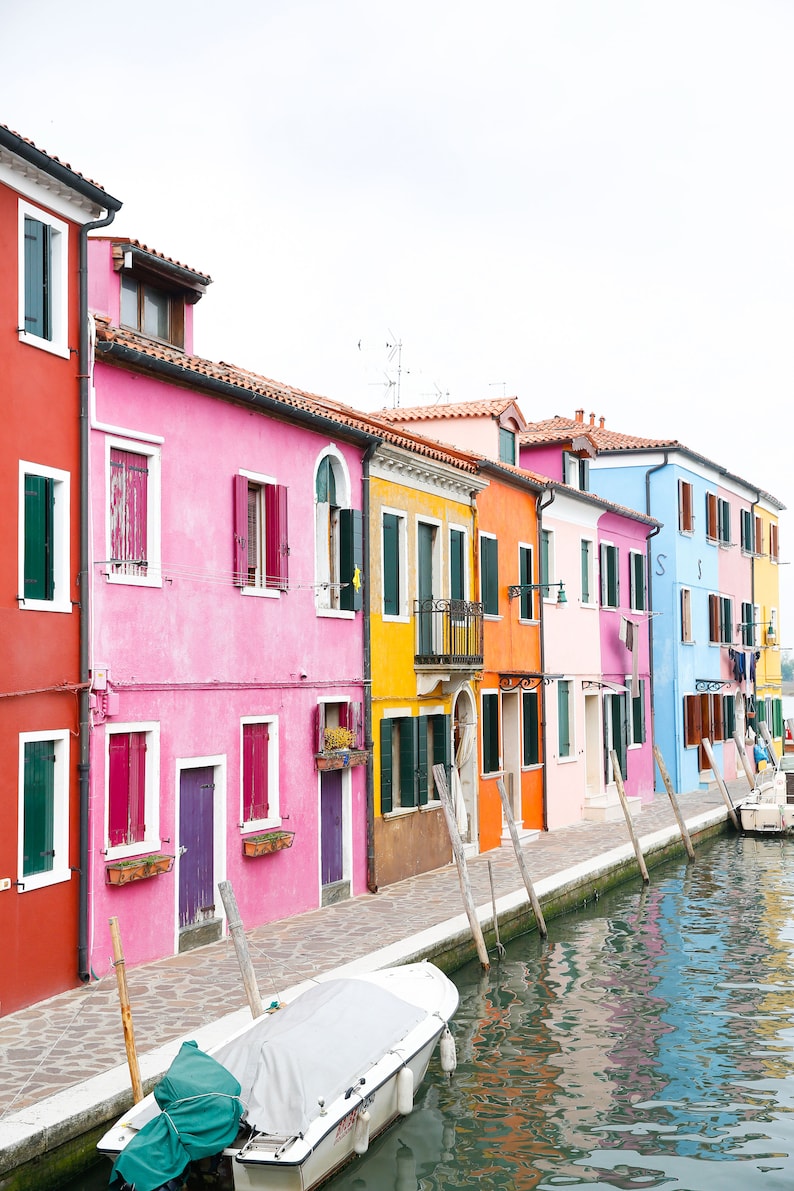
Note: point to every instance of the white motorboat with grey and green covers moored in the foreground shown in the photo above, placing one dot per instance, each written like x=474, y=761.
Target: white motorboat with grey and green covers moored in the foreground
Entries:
x=315, y=1082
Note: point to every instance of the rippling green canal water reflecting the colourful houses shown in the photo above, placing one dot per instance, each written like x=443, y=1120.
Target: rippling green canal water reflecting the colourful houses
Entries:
x=649, y=1043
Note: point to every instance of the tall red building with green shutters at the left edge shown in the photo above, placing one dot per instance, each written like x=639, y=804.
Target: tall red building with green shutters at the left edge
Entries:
x=46, y=213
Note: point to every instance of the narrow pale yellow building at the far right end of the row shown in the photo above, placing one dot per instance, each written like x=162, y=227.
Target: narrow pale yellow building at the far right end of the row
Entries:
x=766, y=595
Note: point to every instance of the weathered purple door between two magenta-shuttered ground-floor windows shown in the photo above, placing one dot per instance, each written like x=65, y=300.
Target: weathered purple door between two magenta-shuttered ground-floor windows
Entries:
x=197, y=870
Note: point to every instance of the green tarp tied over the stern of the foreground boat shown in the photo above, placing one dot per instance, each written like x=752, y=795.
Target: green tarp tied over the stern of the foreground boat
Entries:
x=201, y=1114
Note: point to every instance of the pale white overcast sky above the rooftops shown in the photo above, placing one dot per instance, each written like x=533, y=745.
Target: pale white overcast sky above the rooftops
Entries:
x=586, y=204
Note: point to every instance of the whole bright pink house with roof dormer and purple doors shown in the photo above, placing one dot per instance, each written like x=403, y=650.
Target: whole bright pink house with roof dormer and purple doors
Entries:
x=227, y=647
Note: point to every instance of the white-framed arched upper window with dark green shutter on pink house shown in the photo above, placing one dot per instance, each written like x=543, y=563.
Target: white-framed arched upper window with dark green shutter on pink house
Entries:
x=339, y=539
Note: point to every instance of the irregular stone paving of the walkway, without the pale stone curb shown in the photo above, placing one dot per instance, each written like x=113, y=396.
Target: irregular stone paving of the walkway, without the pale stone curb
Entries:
x=67, y=1040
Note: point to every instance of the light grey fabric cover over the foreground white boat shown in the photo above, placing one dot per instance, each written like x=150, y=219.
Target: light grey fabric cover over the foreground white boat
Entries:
x=315, y=1049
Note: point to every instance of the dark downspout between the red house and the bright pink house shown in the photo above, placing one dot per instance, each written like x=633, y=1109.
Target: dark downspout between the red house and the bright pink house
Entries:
x=84, y=765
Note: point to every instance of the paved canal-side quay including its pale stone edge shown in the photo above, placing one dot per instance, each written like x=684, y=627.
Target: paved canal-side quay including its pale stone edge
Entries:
x=65, y=1058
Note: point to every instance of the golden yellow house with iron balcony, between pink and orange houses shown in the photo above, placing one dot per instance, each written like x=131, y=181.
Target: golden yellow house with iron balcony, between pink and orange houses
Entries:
x=426, y=651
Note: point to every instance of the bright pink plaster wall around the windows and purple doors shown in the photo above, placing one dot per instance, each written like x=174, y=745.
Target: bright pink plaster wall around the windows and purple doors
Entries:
x=196, y=654
